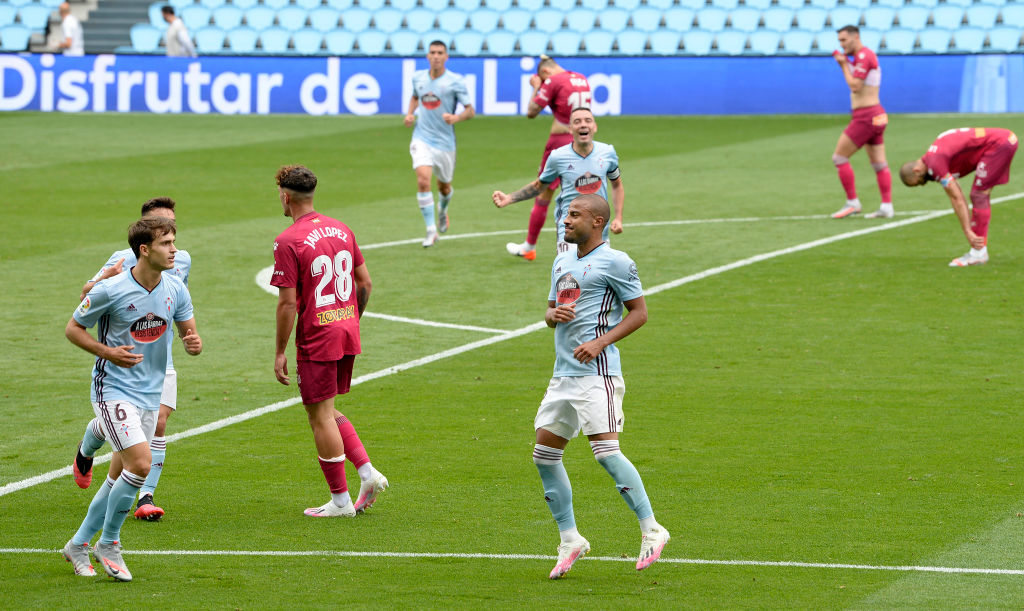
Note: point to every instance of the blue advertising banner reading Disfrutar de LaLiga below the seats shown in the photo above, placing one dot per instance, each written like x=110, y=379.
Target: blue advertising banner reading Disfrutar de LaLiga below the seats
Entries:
x=232, y=85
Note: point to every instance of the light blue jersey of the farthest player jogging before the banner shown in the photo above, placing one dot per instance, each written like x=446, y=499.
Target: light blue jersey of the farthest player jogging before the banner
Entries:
x=437, y=98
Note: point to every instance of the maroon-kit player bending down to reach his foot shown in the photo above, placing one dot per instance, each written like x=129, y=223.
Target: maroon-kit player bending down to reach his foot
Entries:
x=987, y=152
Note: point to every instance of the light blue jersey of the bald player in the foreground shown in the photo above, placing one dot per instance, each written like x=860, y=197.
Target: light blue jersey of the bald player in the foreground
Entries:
x=599, y=284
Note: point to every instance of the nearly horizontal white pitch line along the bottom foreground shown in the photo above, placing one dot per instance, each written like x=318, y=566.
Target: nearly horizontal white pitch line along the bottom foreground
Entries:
x=430, y=555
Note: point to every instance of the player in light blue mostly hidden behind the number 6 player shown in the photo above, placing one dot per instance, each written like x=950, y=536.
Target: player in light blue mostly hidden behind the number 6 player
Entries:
x=94, y=439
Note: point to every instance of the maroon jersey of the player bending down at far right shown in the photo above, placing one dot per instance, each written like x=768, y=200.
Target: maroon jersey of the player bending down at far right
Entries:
x=958, y=152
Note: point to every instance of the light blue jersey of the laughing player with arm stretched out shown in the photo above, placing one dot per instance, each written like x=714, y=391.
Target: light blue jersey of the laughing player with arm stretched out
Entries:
x=580, y=176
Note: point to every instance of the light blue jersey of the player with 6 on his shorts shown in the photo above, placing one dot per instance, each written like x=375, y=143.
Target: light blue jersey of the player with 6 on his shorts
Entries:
x=131, y=316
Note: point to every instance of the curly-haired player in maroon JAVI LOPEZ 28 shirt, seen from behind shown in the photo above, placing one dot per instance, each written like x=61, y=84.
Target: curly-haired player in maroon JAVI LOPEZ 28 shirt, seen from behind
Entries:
x=320, y=274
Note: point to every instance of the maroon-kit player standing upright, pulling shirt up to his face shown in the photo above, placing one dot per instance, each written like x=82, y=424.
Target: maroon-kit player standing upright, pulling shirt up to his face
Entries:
x=867, y=125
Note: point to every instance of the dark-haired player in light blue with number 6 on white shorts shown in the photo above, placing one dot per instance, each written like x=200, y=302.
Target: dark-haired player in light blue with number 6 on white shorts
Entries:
x=134, y=312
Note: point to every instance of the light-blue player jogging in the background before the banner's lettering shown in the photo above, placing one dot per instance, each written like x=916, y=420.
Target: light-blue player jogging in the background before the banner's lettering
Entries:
x=437, y=94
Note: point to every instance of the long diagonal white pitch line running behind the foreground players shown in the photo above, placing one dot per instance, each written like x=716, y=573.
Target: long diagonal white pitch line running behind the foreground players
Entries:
x=40, y=479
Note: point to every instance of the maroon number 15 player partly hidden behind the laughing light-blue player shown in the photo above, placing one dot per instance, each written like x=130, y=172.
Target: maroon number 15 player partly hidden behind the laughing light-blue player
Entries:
x=563, y=91
